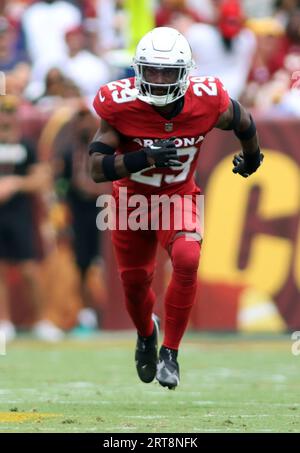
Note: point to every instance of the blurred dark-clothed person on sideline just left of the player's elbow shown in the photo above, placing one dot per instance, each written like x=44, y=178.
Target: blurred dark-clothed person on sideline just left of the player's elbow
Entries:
x=81, y=197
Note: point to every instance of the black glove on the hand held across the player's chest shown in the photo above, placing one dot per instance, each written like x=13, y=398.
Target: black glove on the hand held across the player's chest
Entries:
x=164, y=153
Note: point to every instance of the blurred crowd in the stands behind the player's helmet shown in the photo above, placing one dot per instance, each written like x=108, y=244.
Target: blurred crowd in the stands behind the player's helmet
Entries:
x=53, y=49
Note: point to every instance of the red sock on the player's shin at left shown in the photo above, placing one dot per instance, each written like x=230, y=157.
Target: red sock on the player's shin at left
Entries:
x=139, y=298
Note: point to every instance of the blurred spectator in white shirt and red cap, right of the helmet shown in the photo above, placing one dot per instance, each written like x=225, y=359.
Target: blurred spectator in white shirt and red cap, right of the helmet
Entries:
x=225, y=51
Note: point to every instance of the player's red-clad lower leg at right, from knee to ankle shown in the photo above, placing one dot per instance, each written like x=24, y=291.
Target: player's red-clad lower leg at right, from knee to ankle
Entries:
x=181, y=291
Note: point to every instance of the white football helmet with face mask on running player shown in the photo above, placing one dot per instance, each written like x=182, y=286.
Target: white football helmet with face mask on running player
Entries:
x=166, y=53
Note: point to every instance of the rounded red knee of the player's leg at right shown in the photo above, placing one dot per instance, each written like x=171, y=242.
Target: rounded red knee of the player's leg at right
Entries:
x=185, y=255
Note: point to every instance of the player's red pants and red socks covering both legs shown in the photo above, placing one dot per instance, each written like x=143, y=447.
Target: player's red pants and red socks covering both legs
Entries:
x=135, y=253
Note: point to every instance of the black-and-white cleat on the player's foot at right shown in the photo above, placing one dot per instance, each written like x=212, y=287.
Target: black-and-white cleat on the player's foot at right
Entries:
x=168, y=368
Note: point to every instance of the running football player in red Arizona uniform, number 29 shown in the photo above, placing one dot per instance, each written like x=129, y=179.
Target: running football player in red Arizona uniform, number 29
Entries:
x=151, y=130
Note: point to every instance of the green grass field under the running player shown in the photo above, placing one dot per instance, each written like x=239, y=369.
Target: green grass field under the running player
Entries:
x=228, y=384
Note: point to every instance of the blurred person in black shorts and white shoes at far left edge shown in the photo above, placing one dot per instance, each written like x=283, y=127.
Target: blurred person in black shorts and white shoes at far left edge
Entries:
x=20, y=176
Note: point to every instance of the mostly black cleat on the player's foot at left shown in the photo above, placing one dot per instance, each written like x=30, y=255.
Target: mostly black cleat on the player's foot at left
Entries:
x=146, y=354
